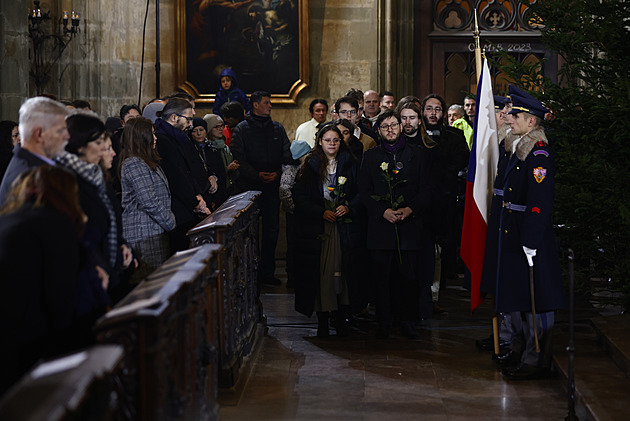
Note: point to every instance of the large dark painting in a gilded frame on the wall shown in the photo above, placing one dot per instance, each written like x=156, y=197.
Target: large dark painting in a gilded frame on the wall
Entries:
x=265, y=42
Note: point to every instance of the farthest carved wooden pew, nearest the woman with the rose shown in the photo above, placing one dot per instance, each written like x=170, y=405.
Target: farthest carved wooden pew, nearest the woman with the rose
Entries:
x=235, y=225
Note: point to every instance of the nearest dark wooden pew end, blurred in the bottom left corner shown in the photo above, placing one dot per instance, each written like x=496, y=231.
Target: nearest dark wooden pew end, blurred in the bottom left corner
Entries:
x=81, y=386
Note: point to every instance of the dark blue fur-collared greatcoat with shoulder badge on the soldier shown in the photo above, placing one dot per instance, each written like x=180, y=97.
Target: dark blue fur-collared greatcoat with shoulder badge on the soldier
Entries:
x=526, y=179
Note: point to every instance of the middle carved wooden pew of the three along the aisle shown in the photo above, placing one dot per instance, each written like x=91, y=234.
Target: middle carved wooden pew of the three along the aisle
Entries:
x=167, y=327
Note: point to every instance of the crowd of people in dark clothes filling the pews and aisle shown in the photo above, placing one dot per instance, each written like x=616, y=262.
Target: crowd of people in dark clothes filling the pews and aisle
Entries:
x=372, y=192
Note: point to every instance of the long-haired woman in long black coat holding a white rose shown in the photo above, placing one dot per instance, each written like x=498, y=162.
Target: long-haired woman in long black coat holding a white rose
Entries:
x=325, y=197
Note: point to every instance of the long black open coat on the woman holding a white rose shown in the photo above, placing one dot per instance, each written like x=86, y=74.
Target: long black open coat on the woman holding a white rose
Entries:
x=309, y=210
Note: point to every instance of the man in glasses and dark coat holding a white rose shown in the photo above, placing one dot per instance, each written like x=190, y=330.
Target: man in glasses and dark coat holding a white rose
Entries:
x=395, y=185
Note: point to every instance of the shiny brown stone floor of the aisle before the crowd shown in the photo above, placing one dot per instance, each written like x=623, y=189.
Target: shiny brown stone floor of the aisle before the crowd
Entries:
x=441, y=376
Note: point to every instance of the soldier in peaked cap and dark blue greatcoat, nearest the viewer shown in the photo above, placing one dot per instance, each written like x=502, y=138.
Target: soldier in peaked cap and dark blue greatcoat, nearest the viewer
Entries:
x=519, y=229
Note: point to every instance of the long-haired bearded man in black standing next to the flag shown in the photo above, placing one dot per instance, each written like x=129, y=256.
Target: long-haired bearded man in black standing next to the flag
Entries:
x=449, y=156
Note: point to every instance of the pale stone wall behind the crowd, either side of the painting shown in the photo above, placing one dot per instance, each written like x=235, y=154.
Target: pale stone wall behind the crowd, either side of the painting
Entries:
x=102, y=64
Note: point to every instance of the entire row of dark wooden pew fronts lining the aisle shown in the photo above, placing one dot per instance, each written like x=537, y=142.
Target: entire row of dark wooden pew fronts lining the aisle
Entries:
x=188, y=329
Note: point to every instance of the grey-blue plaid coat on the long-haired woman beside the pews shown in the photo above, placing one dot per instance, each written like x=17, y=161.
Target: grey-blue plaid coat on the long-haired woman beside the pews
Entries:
x=147, y=214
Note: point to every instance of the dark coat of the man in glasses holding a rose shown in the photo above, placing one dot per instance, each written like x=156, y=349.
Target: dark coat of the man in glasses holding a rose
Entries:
x=417, y=192
